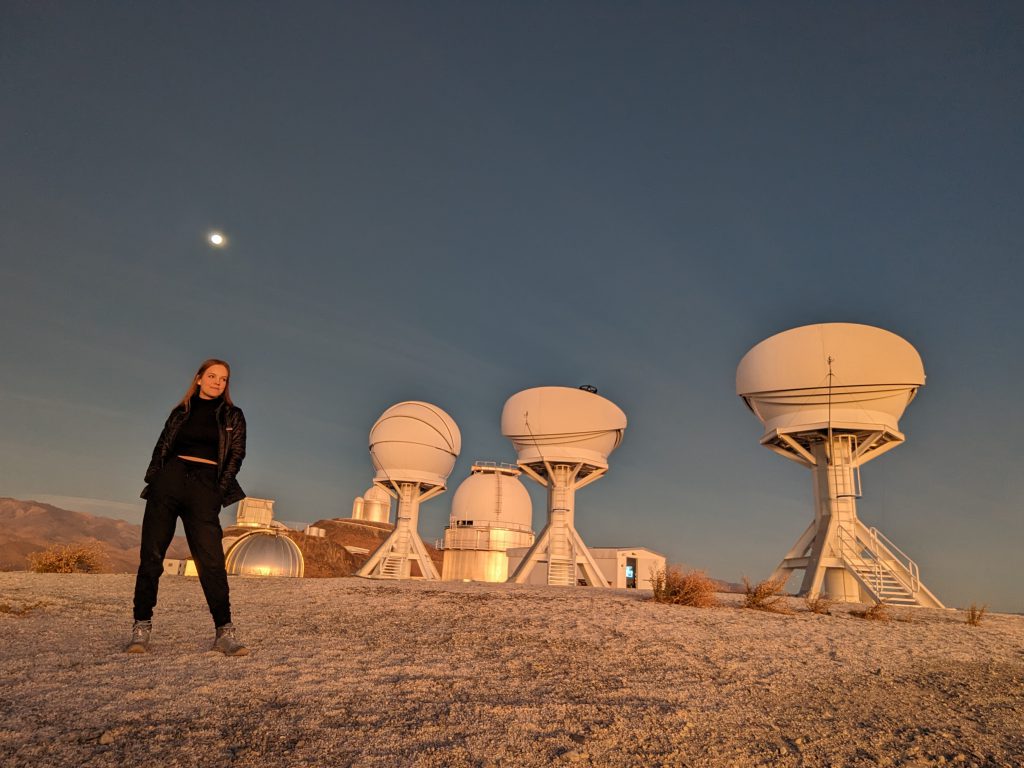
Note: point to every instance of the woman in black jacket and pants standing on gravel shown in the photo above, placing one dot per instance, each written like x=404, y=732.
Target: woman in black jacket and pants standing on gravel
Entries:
x=192, y=477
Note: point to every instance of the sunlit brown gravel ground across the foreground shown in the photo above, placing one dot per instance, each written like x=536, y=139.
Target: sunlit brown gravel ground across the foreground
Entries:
x=368, y=673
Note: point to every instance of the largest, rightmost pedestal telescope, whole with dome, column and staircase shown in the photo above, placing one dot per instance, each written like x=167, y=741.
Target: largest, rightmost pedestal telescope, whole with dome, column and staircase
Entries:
x=831, y=397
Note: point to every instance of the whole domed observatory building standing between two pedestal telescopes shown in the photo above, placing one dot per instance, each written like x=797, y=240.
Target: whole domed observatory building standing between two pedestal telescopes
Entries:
x=492, y=513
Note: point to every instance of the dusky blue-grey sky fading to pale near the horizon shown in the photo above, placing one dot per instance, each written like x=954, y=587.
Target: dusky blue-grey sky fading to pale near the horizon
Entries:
x=454, y=201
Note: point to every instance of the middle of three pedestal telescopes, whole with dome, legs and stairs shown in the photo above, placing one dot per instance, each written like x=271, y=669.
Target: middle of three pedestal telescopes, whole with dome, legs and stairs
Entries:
x=563, y=438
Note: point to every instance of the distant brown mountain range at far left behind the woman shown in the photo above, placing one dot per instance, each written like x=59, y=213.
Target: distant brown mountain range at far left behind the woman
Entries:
x=32, y=527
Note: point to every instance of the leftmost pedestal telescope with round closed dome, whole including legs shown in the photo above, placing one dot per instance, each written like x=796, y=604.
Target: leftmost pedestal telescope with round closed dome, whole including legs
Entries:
x=414, y=447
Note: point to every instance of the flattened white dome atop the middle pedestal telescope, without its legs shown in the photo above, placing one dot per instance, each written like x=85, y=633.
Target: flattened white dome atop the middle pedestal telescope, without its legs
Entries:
x=563, y=424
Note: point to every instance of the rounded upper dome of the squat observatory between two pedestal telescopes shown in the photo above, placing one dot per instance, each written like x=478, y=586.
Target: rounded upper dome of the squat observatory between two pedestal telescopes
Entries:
x=492, y=497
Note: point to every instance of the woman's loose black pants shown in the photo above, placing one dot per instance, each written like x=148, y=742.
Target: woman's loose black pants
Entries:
x=189, y=491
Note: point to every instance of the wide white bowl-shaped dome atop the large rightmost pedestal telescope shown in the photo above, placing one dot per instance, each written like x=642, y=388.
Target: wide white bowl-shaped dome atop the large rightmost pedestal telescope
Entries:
x=786, y=379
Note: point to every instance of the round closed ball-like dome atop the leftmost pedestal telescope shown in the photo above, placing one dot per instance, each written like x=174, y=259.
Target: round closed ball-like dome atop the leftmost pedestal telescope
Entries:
x=415, y=443
